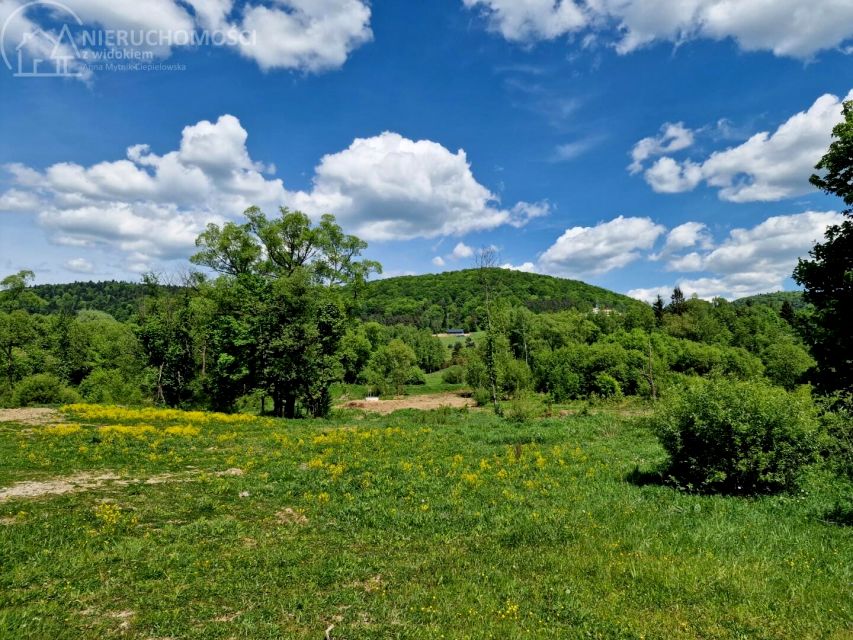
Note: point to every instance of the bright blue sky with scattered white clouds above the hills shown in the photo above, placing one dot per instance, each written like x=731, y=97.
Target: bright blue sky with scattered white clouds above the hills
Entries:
x=631, y=144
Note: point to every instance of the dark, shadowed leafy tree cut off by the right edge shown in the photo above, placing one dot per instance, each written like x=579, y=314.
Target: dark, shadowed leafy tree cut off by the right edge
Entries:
x=827, y=278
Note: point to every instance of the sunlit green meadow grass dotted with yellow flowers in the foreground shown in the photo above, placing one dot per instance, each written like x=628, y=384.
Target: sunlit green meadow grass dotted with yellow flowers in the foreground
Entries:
x=436, y=524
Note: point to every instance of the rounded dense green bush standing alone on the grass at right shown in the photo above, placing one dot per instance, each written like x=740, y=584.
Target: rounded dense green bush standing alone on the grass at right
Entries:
x=738, y=437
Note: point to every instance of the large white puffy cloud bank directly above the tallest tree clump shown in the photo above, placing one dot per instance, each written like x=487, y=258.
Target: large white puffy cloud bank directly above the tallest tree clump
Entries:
x=151, y=207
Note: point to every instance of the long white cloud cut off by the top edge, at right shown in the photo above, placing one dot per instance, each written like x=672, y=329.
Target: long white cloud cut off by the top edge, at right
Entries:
x=795, y=28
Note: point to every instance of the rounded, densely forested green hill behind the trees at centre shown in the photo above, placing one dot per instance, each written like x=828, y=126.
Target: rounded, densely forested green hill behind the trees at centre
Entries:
x=451, y=299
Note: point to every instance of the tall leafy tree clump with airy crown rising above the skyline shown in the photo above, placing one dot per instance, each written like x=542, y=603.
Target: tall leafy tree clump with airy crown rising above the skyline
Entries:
x=279, y=315
